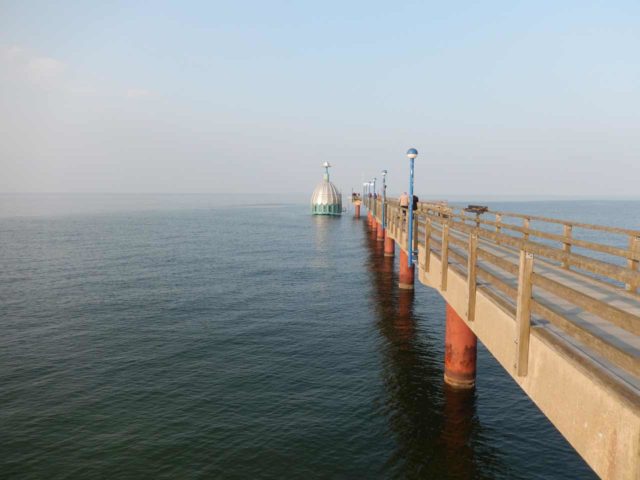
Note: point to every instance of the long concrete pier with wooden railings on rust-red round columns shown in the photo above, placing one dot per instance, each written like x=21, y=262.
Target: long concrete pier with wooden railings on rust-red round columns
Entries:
x=555, y=306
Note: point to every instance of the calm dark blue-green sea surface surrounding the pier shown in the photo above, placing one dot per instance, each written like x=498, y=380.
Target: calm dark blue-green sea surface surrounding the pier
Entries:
x=174, y=338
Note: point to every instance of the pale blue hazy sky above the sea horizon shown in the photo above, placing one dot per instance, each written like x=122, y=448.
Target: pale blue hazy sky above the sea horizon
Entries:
x=525, y=98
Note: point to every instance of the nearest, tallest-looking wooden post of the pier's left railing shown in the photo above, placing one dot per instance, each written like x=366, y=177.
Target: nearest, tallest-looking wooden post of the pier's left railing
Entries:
x=523, y=313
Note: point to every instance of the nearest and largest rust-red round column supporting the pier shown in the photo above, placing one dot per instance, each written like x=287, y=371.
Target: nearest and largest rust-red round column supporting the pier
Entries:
x=460, y=355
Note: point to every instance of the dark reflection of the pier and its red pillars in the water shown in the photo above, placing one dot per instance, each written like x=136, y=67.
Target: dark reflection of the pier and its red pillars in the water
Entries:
x=433, y=425
